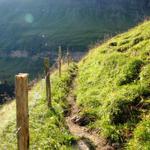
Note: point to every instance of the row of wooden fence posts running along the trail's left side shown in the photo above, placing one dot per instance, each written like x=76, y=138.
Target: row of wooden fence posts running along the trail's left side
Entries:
x=22, y=129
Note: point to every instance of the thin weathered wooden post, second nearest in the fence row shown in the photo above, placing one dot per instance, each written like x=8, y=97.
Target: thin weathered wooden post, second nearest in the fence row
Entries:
x=48, y=83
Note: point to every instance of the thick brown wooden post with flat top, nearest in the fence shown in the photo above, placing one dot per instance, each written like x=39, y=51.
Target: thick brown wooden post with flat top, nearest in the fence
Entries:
x=21, y=85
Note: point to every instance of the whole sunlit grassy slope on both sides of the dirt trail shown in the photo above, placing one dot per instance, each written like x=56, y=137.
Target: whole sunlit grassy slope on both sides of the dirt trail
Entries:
x=112, y=91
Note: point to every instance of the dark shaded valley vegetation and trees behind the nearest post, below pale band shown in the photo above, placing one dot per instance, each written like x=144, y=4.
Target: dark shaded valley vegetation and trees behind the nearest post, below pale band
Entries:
x=9, y=67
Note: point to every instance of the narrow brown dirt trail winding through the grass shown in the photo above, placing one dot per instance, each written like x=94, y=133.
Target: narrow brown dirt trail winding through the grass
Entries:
x=89, y=140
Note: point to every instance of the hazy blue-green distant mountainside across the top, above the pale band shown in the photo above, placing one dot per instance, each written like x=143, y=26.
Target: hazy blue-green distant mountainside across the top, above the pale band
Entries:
x=43, y=25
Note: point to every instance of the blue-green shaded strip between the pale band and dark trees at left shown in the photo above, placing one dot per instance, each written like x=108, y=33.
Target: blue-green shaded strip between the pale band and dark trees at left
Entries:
x=11, y=66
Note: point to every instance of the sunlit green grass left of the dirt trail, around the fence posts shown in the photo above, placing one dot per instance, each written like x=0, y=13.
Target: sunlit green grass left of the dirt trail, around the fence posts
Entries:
x=47, y=126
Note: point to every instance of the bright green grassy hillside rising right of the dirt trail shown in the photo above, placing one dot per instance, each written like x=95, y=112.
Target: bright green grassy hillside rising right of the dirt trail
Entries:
x=113, y=88
